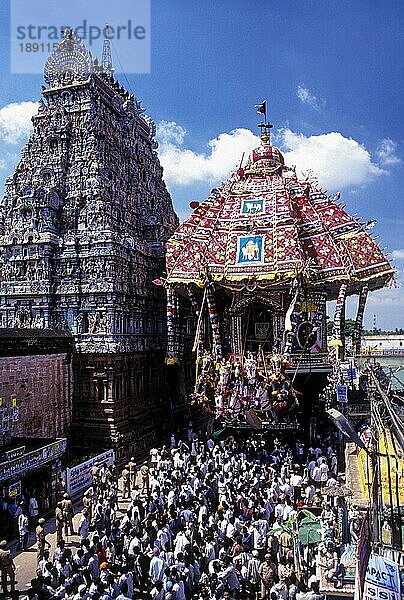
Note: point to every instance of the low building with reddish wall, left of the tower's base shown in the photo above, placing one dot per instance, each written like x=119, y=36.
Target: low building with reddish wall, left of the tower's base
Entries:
x=36, y=386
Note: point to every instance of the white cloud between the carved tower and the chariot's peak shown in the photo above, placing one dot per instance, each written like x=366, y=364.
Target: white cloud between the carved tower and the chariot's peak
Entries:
x=183, y=166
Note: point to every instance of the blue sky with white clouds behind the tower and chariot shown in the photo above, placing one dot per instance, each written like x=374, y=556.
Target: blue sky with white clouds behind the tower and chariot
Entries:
x=323, y=66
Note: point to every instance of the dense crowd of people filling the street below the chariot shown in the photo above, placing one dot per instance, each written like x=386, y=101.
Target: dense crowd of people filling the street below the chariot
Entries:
x=202, y=519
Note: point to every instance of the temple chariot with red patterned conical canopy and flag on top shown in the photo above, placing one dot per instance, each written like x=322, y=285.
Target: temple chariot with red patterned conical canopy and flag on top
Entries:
x=258, y=260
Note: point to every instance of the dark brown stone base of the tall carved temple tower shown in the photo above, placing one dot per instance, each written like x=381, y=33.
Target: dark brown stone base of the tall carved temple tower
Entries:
x=122, y=400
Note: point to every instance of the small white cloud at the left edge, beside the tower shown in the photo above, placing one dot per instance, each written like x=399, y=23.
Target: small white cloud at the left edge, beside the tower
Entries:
x=15, y=121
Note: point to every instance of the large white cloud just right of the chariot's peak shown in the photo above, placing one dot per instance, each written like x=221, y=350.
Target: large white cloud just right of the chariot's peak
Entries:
x=337, y=161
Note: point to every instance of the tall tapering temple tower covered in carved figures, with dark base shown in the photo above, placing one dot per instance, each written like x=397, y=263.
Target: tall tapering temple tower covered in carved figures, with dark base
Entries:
x=83, y=224
